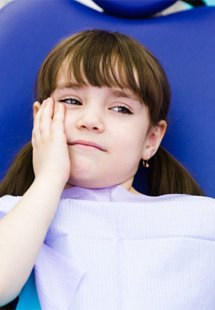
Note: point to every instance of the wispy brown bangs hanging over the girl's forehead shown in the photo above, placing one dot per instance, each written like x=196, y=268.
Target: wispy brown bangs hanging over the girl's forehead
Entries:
x=101, y=63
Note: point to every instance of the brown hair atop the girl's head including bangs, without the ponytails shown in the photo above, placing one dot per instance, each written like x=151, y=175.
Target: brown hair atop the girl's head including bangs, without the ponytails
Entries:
x=102, y=58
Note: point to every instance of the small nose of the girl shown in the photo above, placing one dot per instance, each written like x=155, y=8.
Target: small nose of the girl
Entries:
x=91, y=120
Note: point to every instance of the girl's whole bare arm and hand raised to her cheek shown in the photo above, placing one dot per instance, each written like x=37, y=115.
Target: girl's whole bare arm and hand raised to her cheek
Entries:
x=30, y=219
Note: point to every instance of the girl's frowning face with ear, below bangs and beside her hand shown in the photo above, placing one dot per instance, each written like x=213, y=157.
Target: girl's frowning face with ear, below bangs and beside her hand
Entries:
x=108, y=132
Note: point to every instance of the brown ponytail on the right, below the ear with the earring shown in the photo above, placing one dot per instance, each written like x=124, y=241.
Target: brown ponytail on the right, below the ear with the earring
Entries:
x=168, y=176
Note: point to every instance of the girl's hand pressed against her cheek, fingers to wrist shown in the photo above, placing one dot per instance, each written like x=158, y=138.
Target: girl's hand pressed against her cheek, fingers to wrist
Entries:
x=50, y=150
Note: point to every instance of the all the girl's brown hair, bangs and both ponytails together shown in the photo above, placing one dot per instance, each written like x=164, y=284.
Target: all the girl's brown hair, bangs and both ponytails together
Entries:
x=124, y=63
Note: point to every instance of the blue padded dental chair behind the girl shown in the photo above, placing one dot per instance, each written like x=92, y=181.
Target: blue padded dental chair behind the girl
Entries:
x=183, y=42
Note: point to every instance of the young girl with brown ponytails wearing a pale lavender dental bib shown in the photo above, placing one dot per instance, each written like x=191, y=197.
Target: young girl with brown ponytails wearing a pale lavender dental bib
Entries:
x=71, y=212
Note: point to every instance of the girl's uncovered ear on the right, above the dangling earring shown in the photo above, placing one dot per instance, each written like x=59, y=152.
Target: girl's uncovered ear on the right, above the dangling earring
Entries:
x=153, y=139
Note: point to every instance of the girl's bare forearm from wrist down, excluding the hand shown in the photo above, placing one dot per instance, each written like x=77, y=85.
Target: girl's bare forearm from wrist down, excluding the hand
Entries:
x=22, y=233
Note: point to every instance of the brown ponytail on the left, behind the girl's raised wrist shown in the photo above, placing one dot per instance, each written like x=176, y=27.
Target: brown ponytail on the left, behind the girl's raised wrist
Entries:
x=20, y=175
